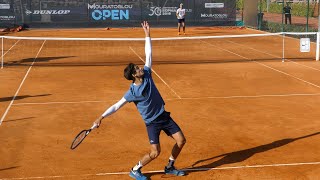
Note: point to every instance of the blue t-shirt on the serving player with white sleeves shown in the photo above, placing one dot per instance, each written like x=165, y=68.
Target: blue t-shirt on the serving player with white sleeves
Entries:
x=146, y=97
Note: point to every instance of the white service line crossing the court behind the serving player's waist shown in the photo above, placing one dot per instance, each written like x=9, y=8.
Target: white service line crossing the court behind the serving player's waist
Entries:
x=172, y=99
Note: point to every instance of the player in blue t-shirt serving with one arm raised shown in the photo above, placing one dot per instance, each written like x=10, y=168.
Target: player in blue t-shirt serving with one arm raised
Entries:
x=150, y=104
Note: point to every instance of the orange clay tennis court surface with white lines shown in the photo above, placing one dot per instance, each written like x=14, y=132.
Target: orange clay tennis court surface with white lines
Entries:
x=245, y=113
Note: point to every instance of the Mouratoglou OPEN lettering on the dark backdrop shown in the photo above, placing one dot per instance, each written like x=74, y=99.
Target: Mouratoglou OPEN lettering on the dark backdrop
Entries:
x=104, y=12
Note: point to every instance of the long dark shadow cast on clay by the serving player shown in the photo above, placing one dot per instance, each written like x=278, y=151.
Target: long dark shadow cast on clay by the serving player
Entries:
x=239, y=156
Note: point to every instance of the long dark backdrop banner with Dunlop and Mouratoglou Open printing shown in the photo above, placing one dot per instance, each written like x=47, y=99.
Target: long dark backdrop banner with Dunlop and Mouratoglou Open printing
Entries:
x=115, y=13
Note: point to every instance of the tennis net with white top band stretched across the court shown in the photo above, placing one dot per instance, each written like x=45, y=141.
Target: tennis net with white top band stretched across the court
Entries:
x=51, y=51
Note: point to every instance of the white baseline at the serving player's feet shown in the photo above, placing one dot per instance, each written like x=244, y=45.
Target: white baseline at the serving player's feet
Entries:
x=161, y=171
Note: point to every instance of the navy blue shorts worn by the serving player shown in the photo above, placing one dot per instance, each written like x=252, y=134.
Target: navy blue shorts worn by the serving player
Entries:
x=163, y=122
